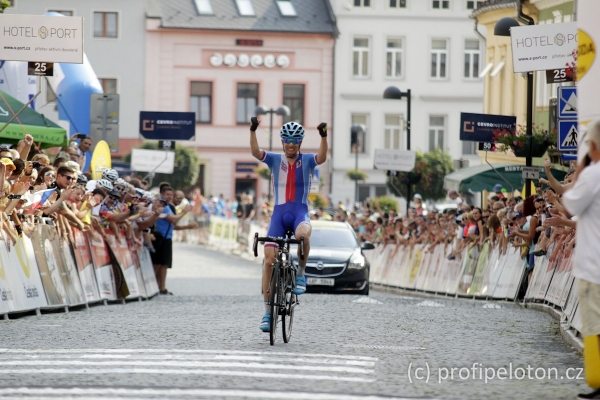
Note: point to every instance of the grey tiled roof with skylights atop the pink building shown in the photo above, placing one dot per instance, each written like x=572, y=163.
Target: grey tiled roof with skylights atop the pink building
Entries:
x=312, y=16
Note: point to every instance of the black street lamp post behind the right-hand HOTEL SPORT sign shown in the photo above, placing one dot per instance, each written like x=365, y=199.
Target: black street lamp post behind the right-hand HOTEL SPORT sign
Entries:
x=502, y=28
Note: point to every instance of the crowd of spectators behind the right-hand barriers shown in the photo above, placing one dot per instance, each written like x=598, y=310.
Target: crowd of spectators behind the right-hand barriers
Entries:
x=507, y=219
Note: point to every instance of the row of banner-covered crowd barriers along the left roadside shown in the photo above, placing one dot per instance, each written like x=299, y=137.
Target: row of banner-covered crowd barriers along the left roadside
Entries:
x=45, y=271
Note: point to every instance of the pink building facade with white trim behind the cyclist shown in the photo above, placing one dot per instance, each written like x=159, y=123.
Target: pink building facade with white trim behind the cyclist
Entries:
x=222, y=75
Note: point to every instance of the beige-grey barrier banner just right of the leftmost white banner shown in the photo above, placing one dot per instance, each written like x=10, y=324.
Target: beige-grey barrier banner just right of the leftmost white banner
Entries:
x=52, y=281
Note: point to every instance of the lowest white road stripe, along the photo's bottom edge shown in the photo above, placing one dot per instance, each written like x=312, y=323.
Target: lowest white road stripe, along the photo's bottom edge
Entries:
x=128, y=393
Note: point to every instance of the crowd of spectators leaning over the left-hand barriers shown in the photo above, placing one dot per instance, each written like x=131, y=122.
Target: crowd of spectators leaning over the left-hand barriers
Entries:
x=57, y=189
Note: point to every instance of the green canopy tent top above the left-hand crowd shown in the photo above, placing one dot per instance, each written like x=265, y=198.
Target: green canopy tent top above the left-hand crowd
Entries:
x=44, y=131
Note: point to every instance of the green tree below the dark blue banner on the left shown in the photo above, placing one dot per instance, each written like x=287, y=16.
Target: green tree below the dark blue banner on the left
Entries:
x=185, y=173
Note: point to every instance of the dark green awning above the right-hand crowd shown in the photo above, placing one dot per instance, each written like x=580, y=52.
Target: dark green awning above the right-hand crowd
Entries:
x=483, y=177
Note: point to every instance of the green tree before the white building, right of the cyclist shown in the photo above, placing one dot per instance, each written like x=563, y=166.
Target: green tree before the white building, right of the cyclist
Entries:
x=427, y=177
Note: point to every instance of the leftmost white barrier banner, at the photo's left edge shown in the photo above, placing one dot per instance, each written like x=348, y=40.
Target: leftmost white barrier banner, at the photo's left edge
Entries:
x=27, y=287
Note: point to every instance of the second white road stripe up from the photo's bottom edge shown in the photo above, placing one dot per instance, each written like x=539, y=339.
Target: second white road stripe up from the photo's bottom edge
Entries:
x=164, y=371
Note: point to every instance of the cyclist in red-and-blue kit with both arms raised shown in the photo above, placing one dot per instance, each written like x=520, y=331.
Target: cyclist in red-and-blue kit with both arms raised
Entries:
x=291, y=173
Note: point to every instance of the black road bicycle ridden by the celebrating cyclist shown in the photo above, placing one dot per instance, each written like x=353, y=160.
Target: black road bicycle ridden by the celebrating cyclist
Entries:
x=282, y=299
